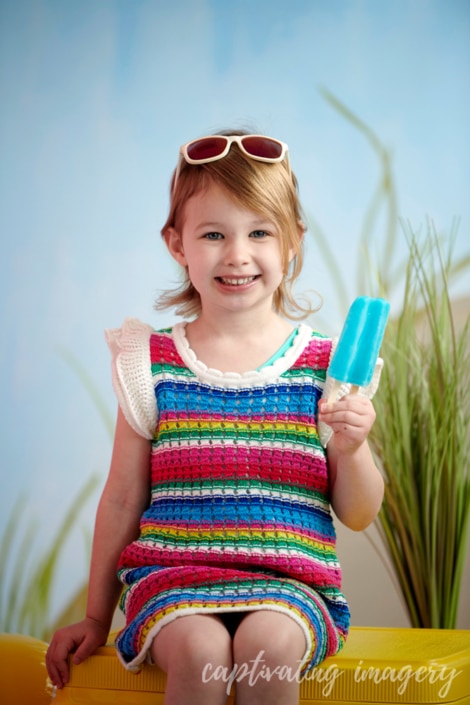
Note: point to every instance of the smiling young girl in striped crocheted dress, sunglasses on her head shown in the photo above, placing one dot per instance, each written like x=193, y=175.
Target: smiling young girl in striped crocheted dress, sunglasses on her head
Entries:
x=216, y=511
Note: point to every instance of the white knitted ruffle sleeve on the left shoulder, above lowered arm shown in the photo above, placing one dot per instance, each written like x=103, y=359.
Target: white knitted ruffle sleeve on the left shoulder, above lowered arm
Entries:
x=132, y=374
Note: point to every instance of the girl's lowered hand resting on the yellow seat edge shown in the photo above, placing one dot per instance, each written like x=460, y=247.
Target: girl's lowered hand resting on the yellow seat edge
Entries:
x=81, y=639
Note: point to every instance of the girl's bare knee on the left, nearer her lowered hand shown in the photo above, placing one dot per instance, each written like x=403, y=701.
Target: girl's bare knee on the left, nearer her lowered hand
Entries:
x=192, y=650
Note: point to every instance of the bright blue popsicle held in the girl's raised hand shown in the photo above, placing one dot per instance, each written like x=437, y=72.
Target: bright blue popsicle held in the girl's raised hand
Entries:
x=356, y=354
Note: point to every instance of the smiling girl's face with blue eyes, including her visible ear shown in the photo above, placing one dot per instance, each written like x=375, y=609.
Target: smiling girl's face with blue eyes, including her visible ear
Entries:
x=233, y=255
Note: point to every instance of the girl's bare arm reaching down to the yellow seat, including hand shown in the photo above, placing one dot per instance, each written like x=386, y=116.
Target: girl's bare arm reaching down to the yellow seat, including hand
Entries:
x=124, y=498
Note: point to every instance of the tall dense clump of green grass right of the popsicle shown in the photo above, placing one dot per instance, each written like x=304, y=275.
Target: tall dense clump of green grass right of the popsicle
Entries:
x=420, y=439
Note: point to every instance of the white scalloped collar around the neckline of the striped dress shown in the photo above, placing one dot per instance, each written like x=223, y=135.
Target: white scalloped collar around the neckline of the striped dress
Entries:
x=237, y=379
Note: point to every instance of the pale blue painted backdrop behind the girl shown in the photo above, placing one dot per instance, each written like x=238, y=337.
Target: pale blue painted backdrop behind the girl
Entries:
x=96, y=97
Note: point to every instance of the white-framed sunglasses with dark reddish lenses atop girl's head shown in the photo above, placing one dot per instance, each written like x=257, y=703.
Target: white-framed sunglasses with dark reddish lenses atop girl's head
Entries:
x=209, y=149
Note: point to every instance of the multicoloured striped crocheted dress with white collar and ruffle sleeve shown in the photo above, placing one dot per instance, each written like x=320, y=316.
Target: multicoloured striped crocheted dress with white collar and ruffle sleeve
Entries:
x=239, y=517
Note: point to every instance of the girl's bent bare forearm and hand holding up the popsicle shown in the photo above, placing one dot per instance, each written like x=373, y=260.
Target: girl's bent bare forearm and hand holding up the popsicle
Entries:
x=357, y=486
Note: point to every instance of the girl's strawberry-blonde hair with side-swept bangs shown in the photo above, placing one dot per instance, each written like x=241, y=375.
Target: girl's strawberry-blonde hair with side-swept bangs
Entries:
x=269, y=189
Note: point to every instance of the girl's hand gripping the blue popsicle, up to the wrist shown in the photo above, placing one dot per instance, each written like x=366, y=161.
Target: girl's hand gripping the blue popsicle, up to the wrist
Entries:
x=351, y=418
